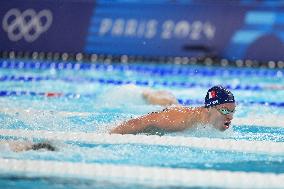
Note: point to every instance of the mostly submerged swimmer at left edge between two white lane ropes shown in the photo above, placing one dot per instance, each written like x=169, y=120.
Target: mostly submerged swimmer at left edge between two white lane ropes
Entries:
x=19, y=146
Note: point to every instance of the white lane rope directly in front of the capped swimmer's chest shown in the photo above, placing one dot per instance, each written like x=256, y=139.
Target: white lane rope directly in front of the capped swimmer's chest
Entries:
x=193, y=142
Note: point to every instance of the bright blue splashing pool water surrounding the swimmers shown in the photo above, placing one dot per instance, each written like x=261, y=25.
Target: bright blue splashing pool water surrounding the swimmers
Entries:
x=96, y=97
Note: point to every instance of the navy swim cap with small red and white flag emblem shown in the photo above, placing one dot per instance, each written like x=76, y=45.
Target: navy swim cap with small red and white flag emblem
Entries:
x=218, y=95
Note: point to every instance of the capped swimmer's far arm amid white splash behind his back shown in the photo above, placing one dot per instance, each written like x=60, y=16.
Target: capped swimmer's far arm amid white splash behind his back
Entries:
x=162, y=98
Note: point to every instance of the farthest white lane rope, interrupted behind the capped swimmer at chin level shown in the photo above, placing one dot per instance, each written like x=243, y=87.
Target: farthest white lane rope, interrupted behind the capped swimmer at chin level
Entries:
x=267, y=121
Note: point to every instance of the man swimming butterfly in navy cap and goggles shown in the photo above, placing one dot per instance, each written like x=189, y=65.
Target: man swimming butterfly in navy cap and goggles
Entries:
x=217, y=112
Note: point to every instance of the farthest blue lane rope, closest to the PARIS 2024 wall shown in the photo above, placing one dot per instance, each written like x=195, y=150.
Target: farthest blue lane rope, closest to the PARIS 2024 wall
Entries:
x=170, y=70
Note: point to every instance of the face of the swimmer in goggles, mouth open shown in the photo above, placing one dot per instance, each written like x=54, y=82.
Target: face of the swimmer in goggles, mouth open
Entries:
x=222, y=115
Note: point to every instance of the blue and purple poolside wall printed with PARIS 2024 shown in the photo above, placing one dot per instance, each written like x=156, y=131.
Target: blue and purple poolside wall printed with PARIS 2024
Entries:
x=226, y=29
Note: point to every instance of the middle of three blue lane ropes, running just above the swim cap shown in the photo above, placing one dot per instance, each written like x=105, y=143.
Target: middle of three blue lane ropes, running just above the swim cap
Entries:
x=6, y=78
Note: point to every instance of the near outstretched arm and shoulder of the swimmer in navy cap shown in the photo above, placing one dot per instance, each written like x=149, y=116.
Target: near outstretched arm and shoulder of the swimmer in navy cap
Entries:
x=174, y=119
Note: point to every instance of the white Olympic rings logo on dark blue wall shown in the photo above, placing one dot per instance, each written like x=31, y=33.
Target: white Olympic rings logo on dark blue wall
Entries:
x=28, y=25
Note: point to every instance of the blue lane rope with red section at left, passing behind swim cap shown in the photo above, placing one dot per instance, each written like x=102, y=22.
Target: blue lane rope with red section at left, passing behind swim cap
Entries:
x=5, y=93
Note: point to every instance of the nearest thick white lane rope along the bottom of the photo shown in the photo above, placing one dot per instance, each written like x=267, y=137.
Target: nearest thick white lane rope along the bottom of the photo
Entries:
x=154, y=176
